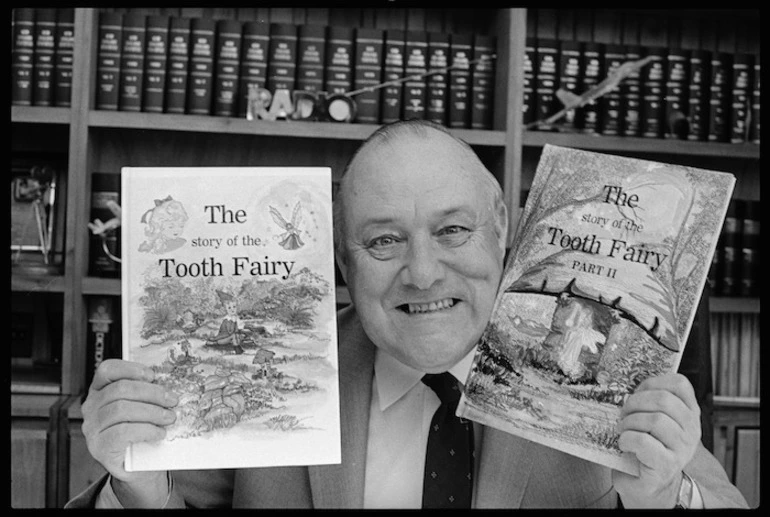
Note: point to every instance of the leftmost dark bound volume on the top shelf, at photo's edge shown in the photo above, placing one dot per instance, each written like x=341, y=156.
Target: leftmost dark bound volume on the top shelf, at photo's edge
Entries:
x=22, y=56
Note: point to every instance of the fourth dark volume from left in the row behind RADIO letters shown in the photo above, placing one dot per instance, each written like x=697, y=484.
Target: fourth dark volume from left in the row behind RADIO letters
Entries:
x=178, y=64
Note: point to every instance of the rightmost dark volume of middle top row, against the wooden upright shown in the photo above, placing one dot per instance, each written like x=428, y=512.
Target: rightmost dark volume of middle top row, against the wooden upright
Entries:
x=483, y=82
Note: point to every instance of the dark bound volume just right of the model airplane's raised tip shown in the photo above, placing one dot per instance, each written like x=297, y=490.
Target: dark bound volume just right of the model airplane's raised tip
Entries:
x=677, y=88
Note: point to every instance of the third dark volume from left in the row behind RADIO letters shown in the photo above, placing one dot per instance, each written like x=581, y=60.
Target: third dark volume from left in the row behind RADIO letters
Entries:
x=156, y=57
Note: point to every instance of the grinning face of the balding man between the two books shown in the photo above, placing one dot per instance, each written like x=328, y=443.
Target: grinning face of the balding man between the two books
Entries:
x=425, y=251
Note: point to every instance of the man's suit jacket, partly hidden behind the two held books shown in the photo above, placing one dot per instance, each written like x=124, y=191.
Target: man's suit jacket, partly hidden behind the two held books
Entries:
x=513, y=472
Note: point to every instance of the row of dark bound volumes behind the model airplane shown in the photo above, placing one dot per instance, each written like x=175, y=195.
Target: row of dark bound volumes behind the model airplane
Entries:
x=682, y=94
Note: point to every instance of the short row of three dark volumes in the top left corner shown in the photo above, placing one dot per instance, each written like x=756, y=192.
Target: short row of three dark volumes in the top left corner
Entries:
x=42, y=43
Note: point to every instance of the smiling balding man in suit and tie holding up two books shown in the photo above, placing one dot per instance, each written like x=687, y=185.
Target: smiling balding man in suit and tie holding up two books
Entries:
x=420, y=234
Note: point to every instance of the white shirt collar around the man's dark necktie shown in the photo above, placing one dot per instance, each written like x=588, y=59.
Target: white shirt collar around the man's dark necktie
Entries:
x=394, y=379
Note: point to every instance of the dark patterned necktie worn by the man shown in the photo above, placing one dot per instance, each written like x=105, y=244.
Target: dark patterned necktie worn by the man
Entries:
x=448, y=478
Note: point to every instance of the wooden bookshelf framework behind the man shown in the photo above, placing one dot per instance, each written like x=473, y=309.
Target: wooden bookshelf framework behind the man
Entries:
x=103, y=141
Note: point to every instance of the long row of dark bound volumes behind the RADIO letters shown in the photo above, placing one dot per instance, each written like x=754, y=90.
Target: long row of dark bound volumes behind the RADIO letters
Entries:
x=168, y=64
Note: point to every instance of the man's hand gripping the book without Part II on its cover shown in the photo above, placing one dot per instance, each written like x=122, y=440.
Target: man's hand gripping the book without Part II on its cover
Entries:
x=123, y=407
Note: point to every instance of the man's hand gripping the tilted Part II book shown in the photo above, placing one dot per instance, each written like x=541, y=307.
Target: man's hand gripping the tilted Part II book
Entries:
x=660, y=423
